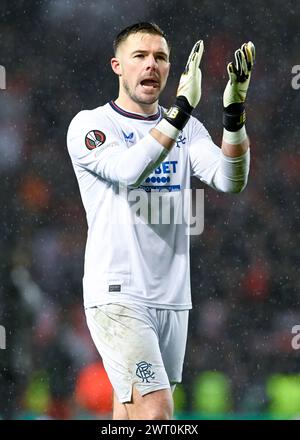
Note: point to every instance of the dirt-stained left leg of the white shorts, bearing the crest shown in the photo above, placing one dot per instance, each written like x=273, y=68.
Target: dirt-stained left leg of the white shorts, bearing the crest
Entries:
x=127, y=341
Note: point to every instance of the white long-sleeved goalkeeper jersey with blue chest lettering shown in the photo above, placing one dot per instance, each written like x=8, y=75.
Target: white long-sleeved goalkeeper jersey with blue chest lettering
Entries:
x=137, y=255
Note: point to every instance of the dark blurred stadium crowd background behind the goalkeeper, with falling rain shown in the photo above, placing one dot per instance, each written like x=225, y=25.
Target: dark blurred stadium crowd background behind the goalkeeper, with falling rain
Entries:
x=245, y=266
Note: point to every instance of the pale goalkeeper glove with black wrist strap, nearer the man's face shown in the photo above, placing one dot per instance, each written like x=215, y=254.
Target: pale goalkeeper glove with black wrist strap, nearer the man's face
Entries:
x=189, y=90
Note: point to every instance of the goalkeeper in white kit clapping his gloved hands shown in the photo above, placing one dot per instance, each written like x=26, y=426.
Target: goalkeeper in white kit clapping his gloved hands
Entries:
x=136, y=276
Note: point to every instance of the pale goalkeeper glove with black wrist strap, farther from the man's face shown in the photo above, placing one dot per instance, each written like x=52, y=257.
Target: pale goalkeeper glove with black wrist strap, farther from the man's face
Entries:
x=235, y=93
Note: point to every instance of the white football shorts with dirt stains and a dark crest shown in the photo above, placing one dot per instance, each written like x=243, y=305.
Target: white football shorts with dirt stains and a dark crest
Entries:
x=140, y=346
